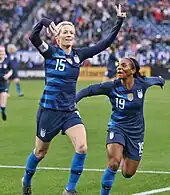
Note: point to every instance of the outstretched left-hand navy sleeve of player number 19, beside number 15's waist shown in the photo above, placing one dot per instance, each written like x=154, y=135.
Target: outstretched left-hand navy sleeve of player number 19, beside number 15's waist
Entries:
x=96, y=89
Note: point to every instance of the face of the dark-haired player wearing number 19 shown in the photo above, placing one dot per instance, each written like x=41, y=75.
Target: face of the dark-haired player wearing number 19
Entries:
x=125, y=69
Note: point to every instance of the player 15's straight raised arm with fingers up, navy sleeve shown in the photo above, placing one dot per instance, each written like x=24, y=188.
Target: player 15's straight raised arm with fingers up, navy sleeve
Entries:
x=89, y=52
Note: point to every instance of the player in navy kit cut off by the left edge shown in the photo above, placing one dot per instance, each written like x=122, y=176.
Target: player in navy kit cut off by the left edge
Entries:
x=5, y=73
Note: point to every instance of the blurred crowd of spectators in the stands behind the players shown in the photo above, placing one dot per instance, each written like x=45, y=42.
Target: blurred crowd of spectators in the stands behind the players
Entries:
x=146, y=31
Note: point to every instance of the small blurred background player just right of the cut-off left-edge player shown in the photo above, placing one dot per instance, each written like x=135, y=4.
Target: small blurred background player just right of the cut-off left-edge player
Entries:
x=11, y=49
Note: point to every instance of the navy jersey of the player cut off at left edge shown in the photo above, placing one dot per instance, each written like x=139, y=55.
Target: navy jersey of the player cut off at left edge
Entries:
x=5, y=67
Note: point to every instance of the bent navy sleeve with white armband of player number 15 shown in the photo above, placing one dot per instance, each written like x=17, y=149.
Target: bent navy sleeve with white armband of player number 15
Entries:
x=35, y=35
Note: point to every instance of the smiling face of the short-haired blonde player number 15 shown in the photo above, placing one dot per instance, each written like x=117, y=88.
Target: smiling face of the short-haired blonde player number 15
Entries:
x=66, y=36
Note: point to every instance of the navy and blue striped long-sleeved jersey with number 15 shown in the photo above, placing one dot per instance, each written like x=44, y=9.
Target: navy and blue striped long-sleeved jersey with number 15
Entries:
x=62, y=70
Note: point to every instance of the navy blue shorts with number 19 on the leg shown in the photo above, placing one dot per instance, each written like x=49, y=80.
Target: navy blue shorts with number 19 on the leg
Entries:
x=133, y=148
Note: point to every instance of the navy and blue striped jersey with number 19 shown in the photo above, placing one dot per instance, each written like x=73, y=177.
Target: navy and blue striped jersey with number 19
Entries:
x=127, y=105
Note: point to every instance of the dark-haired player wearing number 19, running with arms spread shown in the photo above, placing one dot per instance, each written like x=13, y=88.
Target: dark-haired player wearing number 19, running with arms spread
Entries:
x=125, y=138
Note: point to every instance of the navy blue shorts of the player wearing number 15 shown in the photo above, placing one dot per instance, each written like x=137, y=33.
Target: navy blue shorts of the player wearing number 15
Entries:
x=51, y=122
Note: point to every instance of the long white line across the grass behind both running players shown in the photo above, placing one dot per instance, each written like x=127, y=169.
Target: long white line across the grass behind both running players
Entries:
x=90, y=170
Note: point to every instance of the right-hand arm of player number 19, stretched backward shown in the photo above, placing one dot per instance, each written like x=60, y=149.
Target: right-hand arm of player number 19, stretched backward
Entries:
x=154, y=81
